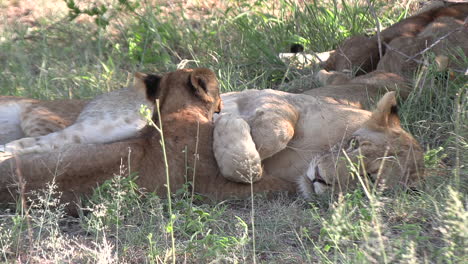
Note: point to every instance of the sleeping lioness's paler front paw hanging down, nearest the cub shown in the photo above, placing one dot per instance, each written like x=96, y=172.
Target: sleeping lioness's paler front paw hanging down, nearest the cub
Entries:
x=235, y=151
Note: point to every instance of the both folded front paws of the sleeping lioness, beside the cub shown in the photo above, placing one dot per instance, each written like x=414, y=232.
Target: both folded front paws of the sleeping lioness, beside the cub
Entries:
x=239, y=146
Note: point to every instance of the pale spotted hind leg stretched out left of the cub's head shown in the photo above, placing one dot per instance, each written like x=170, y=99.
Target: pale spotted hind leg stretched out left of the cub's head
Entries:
x=108, y=117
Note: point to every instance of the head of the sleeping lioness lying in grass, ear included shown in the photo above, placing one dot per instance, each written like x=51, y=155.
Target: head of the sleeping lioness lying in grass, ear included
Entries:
x=380, y=152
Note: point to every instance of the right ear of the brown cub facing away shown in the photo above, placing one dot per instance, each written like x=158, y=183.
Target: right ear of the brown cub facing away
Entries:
x=203, y=81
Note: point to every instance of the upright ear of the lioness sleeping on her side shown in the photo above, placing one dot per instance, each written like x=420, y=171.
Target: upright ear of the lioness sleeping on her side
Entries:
x=386, y=113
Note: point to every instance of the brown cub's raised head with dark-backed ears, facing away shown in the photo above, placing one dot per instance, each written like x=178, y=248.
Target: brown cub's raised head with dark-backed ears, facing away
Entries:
x=187, y=88
